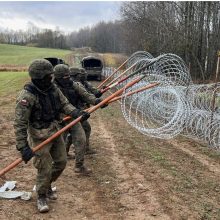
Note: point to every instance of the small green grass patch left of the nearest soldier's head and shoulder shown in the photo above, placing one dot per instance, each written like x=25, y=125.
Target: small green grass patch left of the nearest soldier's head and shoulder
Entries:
x=12, y=82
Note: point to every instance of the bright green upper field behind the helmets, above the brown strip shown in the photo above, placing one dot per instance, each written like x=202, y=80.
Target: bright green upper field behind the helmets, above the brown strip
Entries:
x=22, y=55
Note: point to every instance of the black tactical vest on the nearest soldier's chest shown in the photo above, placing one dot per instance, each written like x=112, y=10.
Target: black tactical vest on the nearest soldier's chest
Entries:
x=47, y=107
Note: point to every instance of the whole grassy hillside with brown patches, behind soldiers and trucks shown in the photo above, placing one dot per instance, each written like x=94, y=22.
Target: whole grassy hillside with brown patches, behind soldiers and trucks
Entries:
x=17, y=58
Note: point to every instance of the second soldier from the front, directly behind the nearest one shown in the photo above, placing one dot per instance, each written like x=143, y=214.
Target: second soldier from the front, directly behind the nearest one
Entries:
x=76, y=94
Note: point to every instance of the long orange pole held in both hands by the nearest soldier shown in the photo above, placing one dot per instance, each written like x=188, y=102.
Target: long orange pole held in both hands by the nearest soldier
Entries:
x=58, y=133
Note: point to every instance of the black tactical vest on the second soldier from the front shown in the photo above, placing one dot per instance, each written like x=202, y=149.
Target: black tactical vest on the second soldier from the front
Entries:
x=69, y=93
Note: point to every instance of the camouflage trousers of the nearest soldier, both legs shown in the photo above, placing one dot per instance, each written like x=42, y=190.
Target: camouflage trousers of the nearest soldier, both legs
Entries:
x=50, y=161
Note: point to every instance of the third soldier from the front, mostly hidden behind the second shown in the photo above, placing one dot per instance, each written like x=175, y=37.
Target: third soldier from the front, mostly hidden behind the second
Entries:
x=80, y=75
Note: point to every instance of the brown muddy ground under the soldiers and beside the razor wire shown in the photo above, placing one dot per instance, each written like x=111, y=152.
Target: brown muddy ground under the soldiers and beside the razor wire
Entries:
x=134, y=176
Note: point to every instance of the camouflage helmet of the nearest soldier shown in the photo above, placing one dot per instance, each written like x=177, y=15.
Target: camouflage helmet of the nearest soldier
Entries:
x=40, y=68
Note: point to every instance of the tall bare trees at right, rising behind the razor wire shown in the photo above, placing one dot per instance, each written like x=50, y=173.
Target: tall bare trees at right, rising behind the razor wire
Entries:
x=188, y=29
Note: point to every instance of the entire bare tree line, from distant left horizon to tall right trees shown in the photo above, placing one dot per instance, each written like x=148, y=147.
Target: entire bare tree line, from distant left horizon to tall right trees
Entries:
x=188, y=29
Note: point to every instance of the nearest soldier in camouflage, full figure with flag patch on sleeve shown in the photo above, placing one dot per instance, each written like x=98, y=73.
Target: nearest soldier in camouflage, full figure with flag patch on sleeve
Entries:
x=37, y=116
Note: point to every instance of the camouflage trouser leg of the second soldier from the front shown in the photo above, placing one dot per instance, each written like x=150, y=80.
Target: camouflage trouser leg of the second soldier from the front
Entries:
x=78, y=139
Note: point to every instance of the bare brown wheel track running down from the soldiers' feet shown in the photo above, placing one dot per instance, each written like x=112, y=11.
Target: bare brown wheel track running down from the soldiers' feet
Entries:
x=136, y=195
